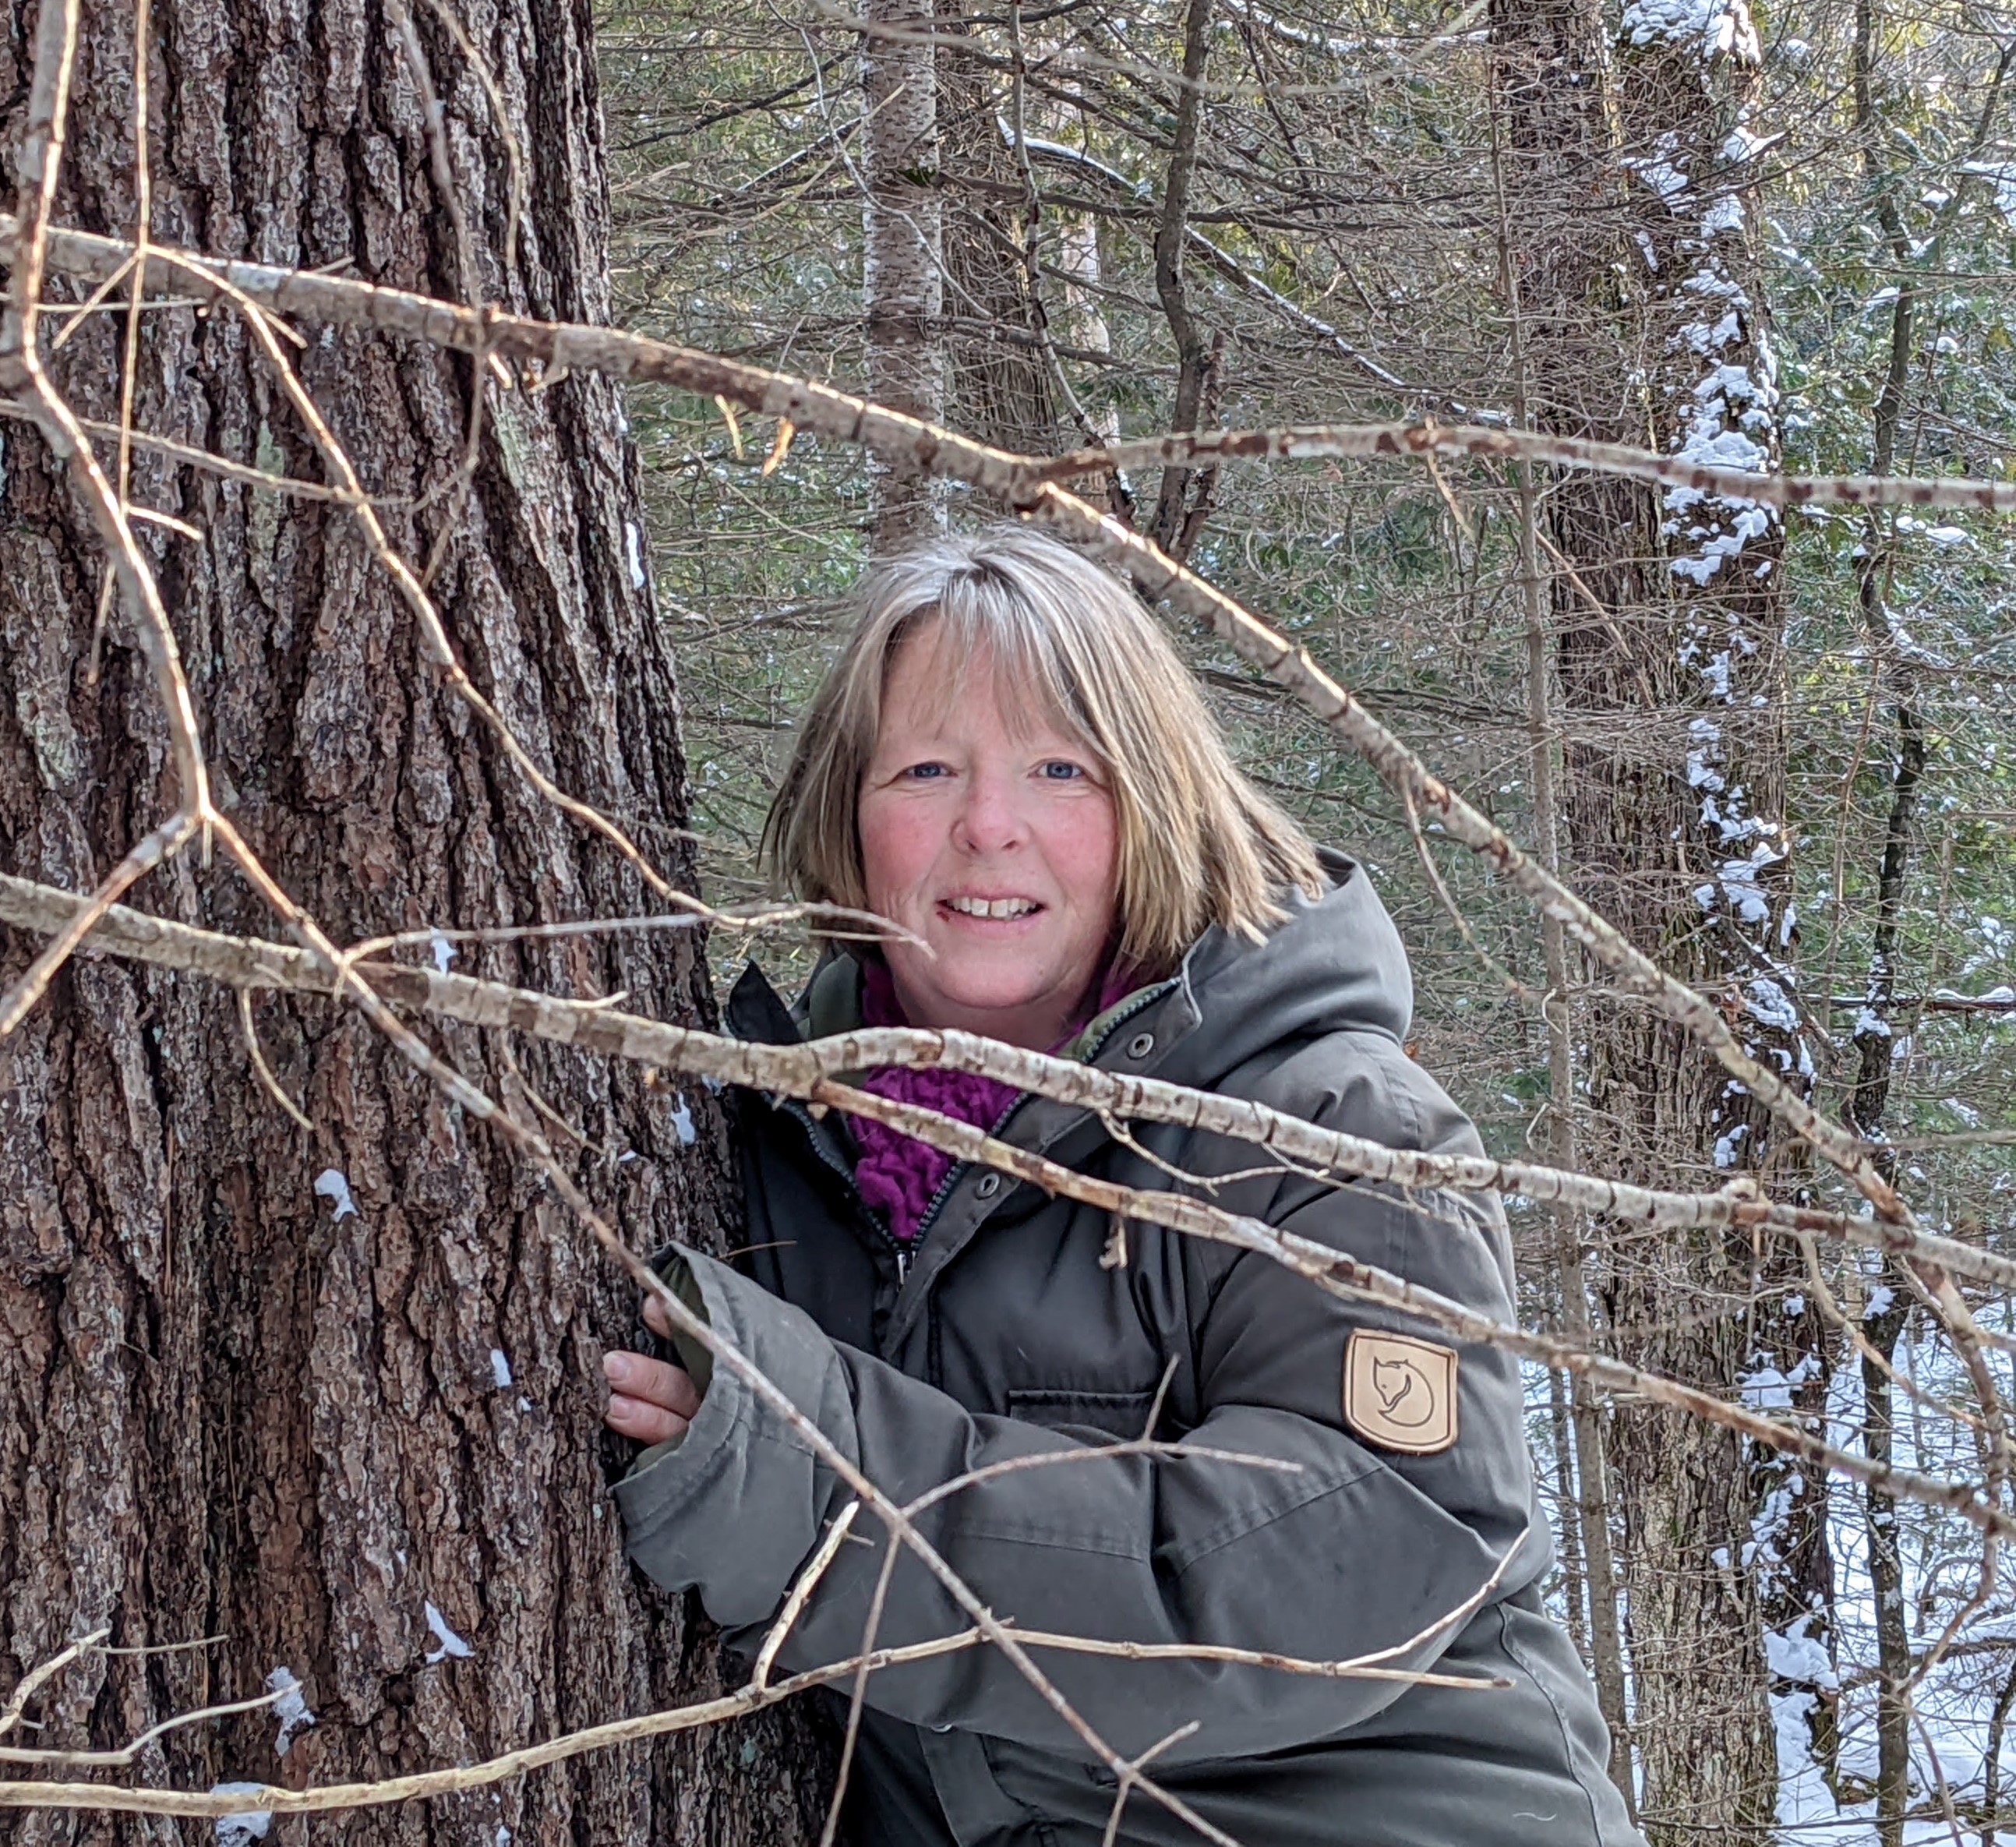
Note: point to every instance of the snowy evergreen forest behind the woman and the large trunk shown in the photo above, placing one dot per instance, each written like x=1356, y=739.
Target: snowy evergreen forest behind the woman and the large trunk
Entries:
x=1360, y=203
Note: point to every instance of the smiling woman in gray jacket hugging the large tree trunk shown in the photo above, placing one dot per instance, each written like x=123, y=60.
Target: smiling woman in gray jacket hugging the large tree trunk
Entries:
x=1011, y=763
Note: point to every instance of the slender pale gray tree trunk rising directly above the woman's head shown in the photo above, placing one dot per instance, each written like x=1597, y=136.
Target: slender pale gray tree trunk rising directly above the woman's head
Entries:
x=902, y=283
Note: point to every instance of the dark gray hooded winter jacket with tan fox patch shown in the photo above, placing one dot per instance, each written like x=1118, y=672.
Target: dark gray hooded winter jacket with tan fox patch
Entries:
x=1007, y=1338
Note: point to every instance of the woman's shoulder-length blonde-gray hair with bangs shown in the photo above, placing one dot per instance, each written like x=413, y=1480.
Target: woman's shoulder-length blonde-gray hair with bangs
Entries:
x=1199, y=844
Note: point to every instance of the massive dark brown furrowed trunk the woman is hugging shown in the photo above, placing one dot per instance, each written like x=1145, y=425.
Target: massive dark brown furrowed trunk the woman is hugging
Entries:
x=295, y=1390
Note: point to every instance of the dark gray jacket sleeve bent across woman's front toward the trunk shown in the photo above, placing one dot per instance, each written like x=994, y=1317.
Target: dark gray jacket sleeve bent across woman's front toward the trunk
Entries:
x=1344, y=1554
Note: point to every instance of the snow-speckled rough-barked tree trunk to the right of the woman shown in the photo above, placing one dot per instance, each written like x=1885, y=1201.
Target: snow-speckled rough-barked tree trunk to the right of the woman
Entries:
x=1703, y=866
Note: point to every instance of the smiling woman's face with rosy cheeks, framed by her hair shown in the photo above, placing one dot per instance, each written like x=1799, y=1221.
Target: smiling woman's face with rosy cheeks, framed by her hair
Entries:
x=993, y=840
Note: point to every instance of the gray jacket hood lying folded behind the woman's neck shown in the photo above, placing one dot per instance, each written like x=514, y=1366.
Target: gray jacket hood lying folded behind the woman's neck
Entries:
x=1336, y=965
